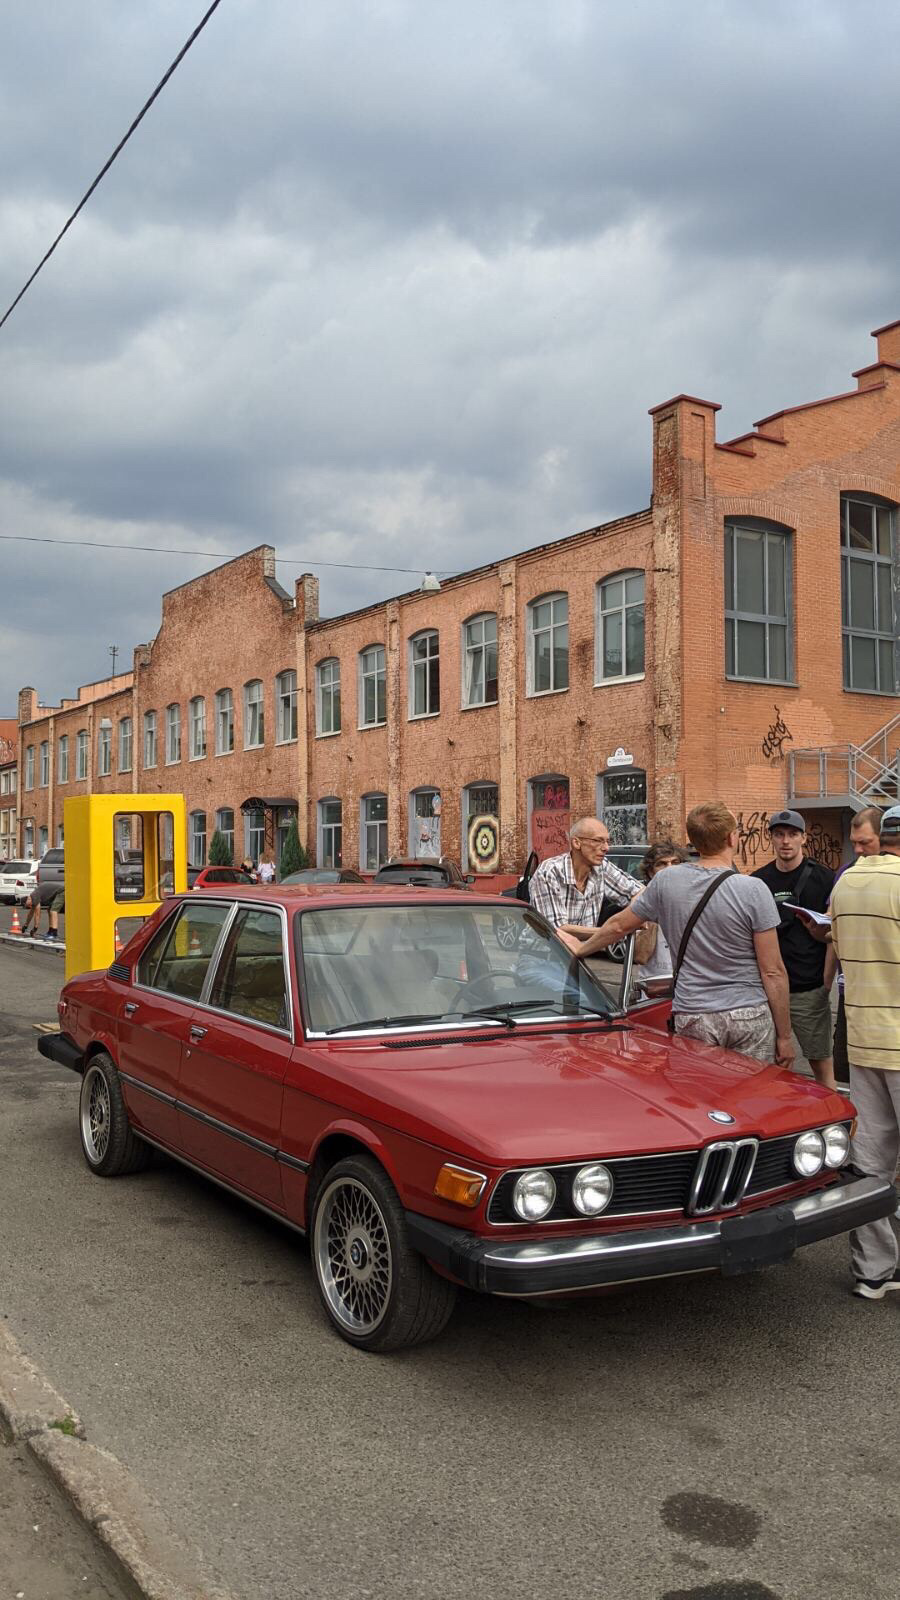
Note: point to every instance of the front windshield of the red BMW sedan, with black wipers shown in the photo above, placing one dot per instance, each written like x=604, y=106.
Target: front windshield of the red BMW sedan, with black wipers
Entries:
x=406, y=966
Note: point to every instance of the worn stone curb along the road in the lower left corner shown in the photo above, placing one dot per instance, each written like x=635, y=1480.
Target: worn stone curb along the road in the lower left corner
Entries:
x=103, y=1492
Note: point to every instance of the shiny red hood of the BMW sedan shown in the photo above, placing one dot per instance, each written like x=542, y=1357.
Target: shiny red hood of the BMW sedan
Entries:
x=552, y=1097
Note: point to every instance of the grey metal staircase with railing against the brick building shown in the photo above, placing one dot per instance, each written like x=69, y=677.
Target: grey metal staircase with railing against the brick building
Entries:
x=850, y=775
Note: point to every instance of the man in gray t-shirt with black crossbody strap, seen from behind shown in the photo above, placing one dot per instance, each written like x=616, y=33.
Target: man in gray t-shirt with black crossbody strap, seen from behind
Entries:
x=733, y=988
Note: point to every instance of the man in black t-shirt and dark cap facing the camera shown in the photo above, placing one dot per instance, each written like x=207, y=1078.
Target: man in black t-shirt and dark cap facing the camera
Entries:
x=798, y=881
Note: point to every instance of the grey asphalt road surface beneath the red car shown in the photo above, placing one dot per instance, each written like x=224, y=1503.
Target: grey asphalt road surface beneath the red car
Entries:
x=688, y=1441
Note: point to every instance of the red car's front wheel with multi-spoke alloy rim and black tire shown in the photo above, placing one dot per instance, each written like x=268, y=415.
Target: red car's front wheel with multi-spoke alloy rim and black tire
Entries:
x=379, y=1294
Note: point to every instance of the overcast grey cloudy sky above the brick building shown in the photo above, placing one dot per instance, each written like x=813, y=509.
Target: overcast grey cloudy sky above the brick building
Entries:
x=396, y=281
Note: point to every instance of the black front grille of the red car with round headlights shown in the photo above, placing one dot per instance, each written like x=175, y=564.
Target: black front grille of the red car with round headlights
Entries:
x=696, y=1183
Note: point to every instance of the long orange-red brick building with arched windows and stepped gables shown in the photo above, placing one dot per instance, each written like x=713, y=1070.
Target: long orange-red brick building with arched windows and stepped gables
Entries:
x=739, y=638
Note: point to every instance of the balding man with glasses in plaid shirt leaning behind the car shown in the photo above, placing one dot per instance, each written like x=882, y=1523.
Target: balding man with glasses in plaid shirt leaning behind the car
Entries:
x=571, y=889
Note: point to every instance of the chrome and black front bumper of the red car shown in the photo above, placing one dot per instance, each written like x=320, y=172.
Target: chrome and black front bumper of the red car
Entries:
x=731, y=1246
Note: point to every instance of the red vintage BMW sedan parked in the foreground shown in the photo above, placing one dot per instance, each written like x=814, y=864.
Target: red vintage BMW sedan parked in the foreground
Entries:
x=379, y=1071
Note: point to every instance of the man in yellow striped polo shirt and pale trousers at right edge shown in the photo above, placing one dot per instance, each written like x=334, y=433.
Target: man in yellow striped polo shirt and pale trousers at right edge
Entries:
x=866, y=927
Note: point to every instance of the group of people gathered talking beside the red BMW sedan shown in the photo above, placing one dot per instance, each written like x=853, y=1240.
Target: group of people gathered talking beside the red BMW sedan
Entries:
x=753, y=961
